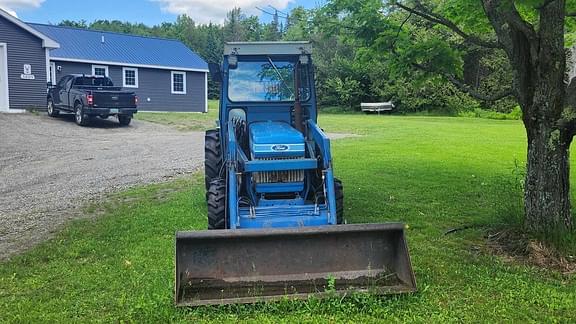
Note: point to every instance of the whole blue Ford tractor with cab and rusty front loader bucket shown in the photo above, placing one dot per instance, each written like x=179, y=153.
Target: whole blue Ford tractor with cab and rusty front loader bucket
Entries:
x=274, y=204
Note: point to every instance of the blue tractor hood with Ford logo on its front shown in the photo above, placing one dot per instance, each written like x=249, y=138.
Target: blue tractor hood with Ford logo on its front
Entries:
x=275, y=140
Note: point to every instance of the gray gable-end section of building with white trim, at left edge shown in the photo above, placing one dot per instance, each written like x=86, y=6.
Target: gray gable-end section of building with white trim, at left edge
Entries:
x=24, y=57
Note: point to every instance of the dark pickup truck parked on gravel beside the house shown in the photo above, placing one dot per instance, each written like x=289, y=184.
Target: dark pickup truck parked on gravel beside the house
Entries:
x=88, y=96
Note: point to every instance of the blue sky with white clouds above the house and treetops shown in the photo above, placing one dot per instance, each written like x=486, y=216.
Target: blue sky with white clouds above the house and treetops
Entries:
x=149, y=12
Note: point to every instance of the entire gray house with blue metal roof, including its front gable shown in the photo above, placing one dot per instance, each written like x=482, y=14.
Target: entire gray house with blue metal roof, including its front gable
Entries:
x=165, y=74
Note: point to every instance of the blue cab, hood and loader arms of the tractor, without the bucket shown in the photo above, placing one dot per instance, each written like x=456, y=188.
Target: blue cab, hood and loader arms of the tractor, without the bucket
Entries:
x=282, y=175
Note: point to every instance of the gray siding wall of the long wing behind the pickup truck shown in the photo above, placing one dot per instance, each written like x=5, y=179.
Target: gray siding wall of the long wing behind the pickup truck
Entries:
x=154, y=87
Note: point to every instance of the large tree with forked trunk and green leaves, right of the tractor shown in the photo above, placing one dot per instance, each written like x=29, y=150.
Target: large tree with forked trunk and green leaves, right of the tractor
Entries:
x=532, y=35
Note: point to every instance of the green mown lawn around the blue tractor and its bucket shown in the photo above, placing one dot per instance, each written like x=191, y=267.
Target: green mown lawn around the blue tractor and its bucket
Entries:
x=433, y=173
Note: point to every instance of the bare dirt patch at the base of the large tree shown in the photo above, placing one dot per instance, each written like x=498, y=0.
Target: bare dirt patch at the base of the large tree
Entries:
x=517, y=247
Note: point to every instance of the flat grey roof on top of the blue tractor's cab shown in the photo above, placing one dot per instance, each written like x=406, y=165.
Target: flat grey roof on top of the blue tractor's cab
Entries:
x=268, y=48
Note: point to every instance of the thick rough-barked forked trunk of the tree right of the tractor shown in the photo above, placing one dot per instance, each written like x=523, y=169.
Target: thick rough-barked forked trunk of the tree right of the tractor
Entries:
x=538, y=60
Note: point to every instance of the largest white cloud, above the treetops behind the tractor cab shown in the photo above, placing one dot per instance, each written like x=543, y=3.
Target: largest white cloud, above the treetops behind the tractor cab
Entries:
x=204, y=11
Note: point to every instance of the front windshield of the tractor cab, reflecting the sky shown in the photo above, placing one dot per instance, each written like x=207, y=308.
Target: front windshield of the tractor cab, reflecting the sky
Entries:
x=266, y=80
